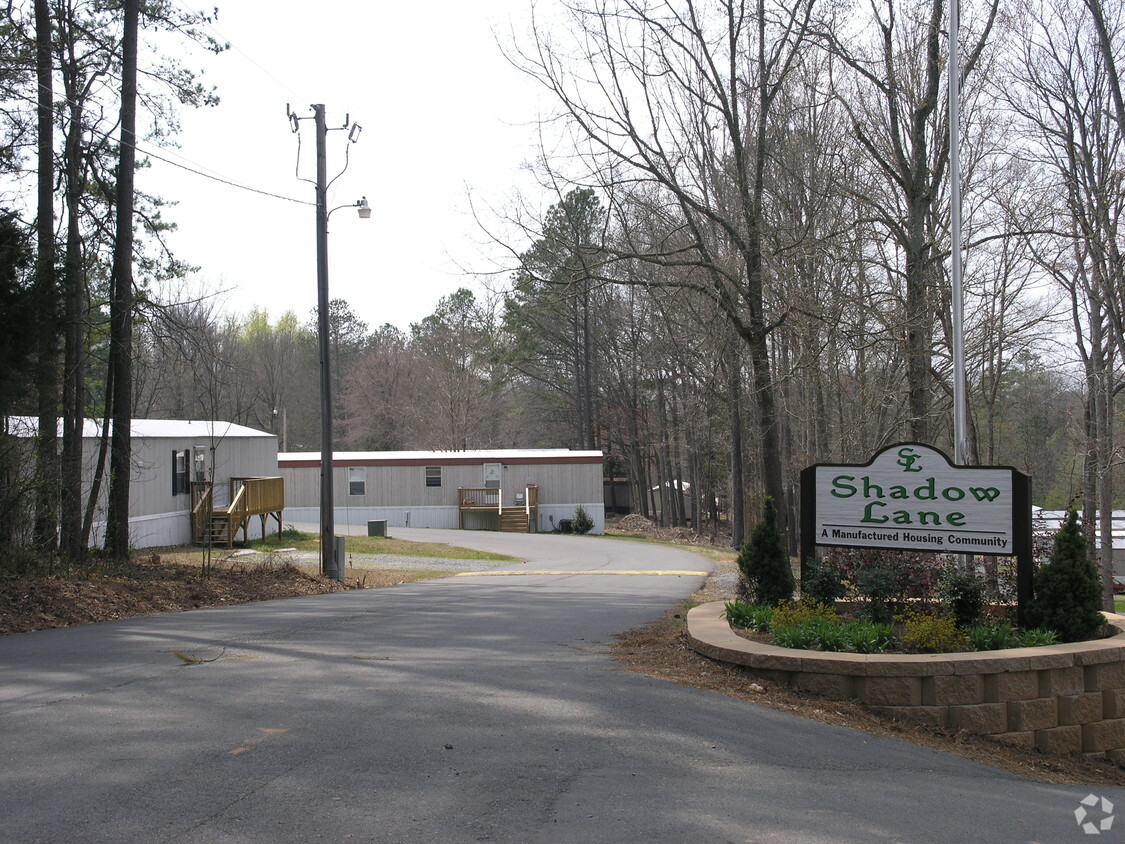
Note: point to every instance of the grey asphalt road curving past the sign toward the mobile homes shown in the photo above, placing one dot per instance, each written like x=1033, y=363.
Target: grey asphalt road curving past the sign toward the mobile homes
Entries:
x=480, y=708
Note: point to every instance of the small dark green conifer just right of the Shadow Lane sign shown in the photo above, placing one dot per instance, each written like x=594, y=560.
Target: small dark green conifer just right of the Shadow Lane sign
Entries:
x=1068, y=590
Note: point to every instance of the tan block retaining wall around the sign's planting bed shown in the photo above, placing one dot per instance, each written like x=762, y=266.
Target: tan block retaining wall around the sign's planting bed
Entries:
x=1059, y=698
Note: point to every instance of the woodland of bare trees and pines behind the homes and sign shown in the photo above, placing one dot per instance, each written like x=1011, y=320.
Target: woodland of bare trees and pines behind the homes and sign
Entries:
x=743, y=271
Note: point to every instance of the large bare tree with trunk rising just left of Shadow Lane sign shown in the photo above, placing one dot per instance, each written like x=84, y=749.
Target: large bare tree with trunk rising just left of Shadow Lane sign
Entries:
x=674, y=101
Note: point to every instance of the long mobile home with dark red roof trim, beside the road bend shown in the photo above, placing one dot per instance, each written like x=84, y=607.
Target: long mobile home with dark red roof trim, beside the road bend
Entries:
x=473, y=490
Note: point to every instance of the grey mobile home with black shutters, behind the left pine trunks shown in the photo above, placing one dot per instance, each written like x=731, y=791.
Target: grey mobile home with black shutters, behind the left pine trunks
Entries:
x=169, y=456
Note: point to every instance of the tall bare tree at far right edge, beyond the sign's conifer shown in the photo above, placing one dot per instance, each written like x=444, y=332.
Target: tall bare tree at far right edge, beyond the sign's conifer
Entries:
x=1059, y=86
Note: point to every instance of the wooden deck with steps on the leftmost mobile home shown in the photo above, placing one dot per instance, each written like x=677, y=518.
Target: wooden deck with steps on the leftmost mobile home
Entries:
x=250, y=497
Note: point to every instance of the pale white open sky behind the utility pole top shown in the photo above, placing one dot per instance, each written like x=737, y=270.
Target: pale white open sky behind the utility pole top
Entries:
x=444, y=116
